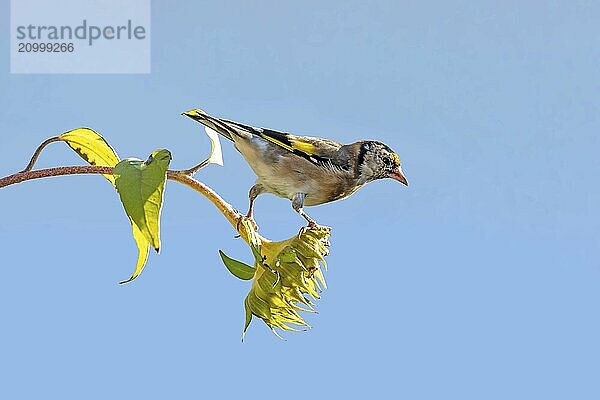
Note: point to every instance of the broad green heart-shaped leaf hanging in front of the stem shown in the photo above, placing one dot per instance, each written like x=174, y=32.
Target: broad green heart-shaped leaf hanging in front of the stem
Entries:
x=141, y=185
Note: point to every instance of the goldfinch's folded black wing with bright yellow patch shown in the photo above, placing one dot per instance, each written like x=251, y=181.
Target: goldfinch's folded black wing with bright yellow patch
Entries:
x=319, y=151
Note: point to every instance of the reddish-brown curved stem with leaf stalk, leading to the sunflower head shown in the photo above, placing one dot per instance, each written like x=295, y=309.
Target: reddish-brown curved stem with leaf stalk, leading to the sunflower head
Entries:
x=179, y=176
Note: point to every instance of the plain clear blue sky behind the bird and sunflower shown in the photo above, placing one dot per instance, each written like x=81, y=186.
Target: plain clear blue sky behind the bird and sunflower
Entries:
x=479, y=281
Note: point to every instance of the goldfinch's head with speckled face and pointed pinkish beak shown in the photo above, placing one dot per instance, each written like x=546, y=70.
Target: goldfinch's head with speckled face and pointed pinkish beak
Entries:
x=378, y=161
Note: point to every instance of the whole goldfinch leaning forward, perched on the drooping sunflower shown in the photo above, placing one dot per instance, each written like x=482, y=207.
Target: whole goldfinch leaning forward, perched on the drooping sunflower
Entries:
x=306, y=170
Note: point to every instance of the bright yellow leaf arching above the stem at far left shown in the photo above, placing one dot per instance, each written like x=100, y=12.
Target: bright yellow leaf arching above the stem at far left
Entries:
x=92, y=148
